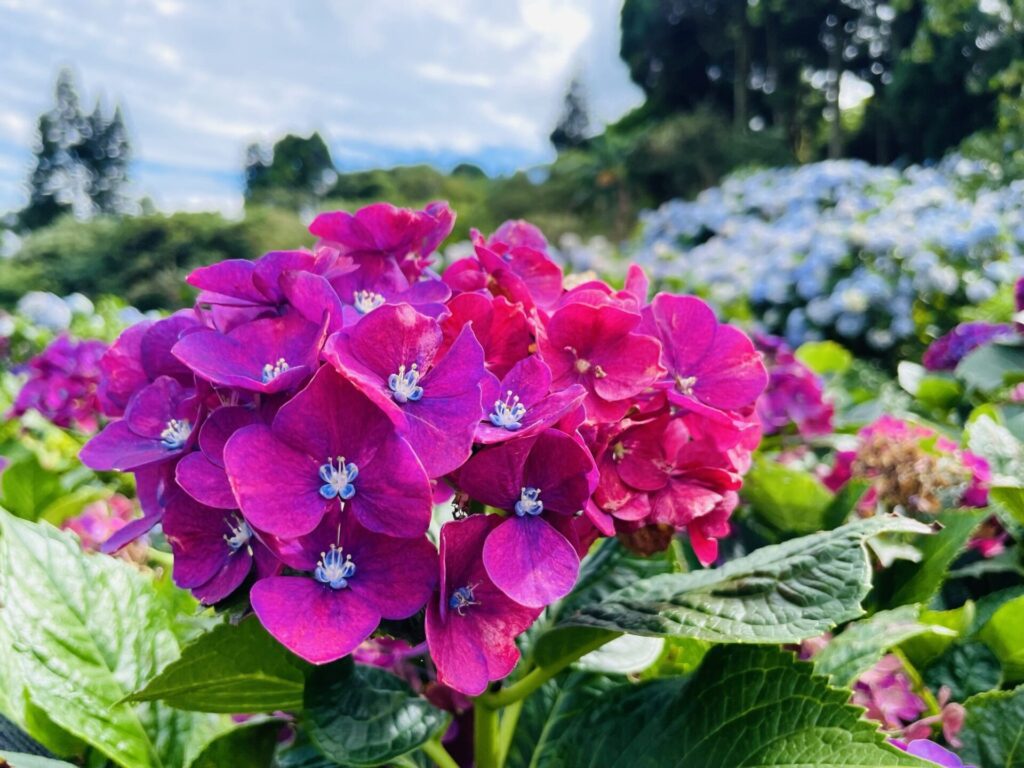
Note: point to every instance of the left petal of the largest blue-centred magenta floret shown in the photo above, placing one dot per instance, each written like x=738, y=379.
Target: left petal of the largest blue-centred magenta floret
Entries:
x=277, y=487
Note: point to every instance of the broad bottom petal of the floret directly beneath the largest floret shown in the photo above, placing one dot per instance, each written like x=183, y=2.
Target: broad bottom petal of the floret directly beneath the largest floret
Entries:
x=312, y=620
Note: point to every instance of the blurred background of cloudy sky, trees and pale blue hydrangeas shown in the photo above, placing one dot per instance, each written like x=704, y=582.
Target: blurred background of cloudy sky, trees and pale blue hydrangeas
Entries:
x=839, y=169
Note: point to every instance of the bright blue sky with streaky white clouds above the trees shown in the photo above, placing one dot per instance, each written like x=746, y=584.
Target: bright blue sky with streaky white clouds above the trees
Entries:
x=387, y=82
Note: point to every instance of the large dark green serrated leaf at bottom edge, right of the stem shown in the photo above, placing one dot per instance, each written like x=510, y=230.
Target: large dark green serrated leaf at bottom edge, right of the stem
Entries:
x=746, y=707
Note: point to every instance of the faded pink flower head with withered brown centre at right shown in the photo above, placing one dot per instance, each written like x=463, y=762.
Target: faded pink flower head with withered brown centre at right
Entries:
x=913, y=470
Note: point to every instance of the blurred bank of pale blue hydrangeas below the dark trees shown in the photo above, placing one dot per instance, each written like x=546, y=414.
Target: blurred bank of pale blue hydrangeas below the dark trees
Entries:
x=843, y=250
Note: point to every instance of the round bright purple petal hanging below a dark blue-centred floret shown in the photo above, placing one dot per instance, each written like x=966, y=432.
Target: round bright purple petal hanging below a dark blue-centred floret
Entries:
x=531, y=562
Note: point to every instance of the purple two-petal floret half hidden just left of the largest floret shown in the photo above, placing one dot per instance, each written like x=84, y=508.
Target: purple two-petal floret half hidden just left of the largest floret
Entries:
x=202, y=474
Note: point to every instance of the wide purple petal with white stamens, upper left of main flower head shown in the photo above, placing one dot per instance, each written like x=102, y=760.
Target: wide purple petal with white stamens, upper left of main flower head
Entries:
x=266, y=356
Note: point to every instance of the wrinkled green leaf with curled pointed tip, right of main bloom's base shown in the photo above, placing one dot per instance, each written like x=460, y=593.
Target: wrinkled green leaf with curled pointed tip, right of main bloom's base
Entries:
x=784, y=593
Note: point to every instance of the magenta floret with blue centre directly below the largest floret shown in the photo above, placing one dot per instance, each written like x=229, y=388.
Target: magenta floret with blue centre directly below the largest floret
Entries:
x=354, y=578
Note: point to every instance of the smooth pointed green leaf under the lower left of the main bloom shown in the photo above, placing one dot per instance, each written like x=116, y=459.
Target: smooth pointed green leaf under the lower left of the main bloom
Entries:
x=234, y=669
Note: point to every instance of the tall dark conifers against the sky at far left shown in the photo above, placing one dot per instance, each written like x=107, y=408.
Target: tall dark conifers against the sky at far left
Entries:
x=81, y=162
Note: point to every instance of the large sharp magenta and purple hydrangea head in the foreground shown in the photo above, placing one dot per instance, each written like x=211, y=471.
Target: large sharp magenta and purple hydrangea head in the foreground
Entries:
x=293, y=433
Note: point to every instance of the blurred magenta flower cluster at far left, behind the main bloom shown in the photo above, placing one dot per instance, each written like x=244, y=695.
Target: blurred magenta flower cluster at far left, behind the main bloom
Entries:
x=63, y=383
